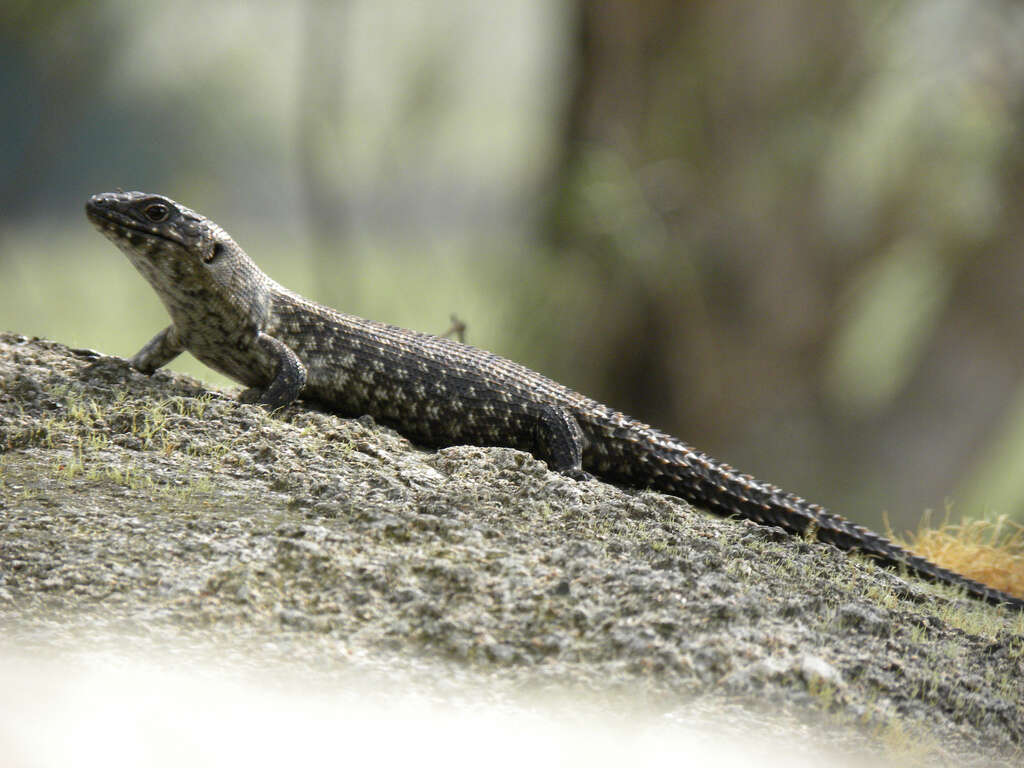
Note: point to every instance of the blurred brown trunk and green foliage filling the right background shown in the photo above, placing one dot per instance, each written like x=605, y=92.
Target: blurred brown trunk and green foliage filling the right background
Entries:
x=792, y=202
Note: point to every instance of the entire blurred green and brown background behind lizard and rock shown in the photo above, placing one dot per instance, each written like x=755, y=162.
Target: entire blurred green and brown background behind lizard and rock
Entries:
x=789, y=233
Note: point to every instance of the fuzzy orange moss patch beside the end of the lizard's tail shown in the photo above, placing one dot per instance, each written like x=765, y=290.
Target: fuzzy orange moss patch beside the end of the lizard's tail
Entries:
x=988, y=551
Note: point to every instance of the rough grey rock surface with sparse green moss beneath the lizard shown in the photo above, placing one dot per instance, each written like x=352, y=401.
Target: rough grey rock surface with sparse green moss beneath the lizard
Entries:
x=139, y=510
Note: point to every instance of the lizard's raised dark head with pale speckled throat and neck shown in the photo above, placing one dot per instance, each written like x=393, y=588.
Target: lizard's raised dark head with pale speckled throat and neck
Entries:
x=186, y=258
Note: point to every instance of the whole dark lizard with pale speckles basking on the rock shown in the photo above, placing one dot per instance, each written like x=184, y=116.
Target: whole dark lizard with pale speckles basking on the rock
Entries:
x=436, y=392
